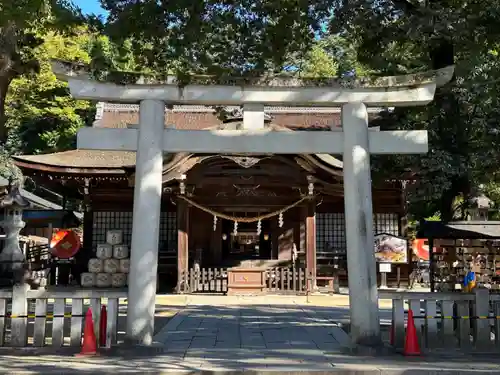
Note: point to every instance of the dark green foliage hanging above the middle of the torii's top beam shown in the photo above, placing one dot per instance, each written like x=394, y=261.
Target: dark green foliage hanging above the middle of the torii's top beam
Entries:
x=214, y=37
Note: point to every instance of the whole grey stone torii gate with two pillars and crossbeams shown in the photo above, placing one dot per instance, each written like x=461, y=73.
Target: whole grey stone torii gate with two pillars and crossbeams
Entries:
x=151, y=139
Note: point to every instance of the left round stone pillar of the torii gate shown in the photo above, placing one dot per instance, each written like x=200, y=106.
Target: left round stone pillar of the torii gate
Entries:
x=146, y=222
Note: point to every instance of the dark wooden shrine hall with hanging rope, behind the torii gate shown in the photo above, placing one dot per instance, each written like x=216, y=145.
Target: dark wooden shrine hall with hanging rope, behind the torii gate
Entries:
x=220, y=211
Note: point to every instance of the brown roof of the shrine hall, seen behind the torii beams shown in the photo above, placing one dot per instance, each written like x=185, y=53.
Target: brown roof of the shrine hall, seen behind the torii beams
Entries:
x=182, y=117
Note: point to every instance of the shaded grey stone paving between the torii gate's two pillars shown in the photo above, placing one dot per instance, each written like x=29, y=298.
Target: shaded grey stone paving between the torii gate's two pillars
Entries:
x=283, y=336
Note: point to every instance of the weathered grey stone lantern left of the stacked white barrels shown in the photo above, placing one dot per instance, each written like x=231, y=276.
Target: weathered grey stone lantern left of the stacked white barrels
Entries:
x=12, y=260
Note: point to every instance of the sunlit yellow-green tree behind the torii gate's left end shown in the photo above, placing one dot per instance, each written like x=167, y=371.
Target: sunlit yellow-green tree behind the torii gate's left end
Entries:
x=43, y=117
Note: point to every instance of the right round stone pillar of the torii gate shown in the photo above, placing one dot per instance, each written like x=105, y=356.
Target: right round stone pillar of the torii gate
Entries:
x=363, y=295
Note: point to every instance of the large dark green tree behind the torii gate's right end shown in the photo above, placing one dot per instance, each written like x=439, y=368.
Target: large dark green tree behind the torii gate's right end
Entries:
x=394, y=37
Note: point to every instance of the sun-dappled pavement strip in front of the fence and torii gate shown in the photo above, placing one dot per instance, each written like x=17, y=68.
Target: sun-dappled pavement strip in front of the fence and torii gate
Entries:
x=139, y=360
